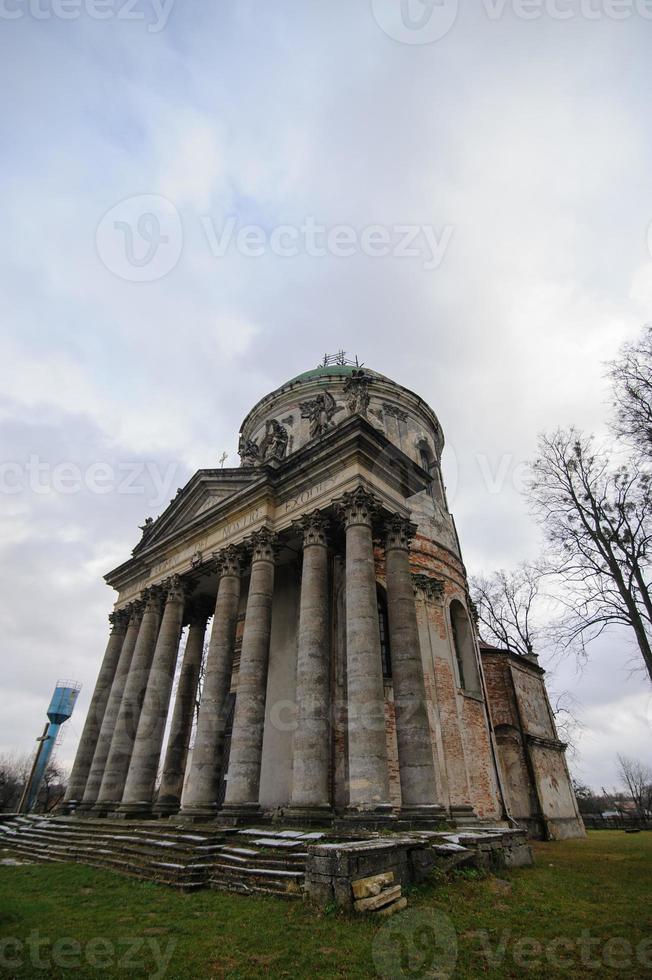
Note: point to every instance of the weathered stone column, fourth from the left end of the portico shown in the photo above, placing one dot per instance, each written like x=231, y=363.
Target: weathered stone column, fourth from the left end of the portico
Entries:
x=143, y=769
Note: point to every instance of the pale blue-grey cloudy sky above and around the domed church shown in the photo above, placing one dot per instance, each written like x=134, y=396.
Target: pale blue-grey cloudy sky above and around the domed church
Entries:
x=509, y=157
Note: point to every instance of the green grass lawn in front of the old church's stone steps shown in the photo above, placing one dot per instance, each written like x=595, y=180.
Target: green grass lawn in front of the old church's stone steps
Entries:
x=584, y=910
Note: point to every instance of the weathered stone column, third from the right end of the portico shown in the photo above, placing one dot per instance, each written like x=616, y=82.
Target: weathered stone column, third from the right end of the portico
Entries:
x=311, y=749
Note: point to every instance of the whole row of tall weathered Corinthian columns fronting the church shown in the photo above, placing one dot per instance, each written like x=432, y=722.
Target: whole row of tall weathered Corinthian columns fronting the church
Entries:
x=120, y=750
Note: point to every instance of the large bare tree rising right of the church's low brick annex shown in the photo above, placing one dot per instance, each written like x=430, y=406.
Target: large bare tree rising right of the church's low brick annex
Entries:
x=598, y=522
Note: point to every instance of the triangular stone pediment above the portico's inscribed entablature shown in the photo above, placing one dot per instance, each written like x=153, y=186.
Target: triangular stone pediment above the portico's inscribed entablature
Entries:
x=206, y=490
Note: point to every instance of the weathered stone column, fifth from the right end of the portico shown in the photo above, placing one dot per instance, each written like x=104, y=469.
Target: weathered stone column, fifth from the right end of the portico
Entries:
x=200, y=797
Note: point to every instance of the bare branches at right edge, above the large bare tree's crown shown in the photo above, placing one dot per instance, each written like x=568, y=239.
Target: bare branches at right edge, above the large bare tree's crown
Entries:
x=631, y=380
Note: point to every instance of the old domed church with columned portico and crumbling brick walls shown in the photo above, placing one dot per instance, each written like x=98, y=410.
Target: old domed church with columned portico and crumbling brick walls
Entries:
x=343, y=678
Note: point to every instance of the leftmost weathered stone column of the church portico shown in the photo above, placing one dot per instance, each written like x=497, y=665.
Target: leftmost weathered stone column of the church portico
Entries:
x=95, y=716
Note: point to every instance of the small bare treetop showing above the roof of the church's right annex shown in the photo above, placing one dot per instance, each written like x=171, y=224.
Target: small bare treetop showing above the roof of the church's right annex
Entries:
x=506, y=602
